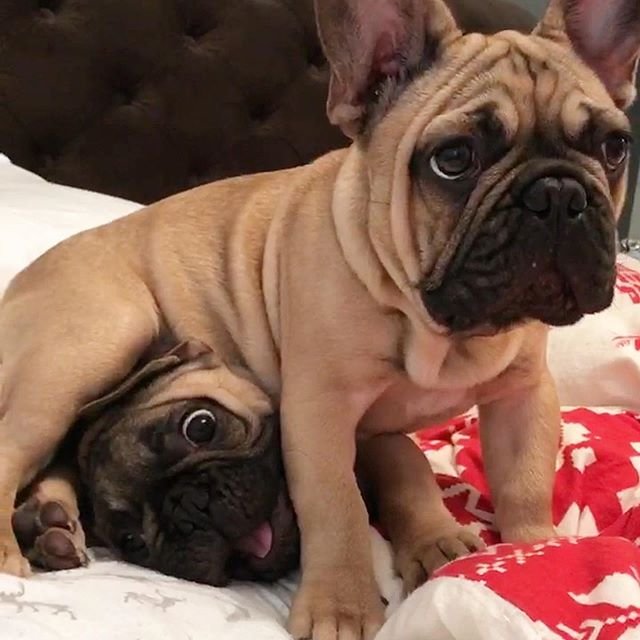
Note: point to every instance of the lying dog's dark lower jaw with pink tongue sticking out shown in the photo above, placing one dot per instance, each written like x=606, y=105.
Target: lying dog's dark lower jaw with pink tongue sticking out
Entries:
x=271, y=551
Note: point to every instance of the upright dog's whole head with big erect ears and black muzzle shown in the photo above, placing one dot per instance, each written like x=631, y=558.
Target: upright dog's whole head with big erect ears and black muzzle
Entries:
x=495, y=164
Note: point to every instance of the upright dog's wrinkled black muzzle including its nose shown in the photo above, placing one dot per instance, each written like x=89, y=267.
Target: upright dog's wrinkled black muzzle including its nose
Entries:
x=545, y=252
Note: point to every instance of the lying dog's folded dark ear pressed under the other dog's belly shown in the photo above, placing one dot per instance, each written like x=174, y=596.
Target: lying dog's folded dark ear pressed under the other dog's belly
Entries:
x=184, y=352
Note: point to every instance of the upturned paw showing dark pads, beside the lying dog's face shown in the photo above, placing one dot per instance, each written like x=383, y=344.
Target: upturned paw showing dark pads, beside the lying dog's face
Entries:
x=49, y=536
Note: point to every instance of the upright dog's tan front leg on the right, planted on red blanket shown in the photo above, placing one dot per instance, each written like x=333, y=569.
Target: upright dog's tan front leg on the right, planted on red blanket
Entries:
x=520, y=439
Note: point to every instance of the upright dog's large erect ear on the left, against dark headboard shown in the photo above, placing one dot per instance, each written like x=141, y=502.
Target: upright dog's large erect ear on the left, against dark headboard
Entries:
x=367, y=41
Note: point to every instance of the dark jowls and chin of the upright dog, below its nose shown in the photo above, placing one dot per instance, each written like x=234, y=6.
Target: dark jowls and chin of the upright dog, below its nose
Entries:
x=515, y=270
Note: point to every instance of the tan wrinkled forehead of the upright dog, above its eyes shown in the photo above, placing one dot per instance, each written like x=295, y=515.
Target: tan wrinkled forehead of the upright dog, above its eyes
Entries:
x=527, y=85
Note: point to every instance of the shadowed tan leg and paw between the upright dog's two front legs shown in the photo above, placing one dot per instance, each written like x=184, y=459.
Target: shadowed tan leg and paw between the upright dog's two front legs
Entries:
x=408, y=503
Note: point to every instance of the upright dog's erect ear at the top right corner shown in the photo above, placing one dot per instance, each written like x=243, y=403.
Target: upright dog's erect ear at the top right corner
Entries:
x=605, y=34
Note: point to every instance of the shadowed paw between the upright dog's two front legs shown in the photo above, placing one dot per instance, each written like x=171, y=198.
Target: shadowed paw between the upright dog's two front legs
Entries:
x=415, y=562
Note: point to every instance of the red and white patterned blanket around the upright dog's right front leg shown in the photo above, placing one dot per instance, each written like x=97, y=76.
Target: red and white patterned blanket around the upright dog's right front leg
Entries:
x=575, y=587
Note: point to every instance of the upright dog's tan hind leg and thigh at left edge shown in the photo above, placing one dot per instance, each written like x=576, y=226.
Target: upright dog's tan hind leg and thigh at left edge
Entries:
x=54, y=360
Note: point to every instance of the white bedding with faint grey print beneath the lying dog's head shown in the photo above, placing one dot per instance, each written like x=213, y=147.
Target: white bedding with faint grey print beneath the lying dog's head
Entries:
x=113, y=601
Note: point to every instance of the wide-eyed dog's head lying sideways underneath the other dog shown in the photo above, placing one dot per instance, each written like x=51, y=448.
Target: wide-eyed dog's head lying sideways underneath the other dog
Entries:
x=183, y=471
